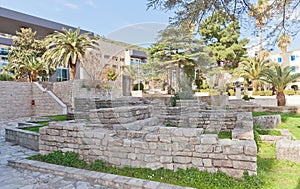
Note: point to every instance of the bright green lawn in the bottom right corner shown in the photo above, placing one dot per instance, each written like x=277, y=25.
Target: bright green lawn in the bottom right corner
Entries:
x=277, y=174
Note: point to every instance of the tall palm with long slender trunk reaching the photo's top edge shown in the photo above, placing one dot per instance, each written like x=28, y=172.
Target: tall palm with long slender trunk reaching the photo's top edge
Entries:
x=260, y=12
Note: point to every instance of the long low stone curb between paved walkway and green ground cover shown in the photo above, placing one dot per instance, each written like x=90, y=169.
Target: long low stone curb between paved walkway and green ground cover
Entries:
x=103, y=179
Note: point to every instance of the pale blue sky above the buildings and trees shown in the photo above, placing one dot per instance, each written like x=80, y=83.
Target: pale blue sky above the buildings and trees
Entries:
x=121, y=20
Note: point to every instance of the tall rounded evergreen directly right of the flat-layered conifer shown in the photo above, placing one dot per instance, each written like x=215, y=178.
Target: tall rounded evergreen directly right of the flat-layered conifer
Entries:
x=221, y=34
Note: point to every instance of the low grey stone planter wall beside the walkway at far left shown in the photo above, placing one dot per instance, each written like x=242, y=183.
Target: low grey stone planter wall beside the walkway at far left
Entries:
x=23, y=138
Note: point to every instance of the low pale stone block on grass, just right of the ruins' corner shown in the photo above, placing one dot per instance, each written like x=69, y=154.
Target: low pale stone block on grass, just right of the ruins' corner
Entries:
x=267, y=121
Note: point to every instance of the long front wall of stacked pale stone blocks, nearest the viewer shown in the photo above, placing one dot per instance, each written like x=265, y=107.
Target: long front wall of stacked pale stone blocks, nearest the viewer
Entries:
x=153, y=147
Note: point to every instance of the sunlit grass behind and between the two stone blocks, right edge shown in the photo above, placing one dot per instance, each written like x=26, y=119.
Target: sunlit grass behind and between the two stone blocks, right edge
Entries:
x=289, y=121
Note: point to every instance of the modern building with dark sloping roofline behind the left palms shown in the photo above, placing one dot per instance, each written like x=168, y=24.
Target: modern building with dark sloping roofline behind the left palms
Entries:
x=112, y=53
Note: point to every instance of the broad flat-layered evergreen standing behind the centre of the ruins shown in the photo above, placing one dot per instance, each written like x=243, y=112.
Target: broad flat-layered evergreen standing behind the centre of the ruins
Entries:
x=175, y=50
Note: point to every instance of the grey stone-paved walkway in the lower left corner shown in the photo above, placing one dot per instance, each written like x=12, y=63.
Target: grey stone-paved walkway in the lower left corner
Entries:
x=12, y=178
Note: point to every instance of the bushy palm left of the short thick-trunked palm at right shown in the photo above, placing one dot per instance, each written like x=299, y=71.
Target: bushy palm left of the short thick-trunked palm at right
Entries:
x=253, y=70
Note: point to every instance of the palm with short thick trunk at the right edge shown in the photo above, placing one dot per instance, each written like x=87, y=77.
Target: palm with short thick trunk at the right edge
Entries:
x=280, y=78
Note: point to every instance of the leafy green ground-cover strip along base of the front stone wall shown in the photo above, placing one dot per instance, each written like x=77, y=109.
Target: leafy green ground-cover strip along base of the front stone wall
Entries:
x=190, y=177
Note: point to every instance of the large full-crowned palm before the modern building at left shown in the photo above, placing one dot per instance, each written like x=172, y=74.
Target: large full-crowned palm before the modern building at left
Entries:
x=67, y=48
